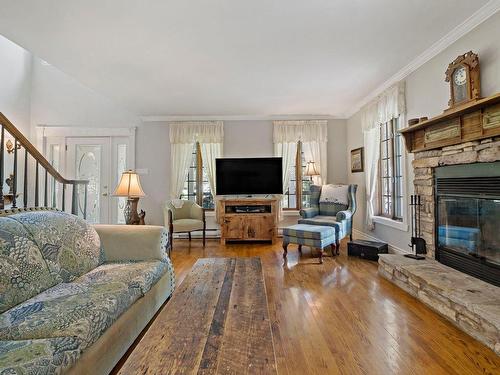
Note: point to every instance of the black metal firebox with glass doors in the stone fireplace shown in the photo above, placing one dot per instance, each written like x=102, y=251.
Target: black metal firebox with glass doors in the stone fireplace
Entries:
x=468, y=219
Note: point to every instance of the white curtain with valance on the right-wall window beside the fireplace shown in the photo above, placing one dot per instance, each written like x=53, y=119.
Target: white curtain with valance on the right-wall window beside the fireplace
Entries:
x=389, y=105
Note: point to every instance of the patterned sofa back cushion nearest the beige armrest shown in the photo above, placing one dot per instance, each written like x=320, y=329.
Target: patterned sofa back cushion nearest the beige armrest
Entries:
x=69, y=245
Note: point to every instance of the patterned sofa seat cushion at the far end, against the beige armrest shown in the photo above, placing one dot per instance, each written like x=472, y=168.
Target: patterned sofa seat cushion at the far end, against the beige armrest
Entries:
x=142, y=275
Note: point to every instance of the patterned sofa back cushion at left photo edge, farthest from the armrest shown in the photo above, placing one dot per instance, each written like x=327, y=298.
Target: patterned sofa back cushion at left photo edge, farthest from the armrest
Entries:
x=23, y=271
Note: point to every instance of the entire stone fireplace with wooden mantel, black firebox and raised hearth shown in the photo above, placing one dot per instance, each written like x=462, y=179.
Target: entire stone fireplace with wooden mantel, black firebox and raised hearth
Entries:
x=457, y=174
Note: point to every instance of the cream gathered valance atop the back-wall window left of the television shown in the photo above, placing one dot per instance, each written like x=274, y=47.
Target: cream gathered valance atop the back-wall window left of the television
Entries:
x=197, y=131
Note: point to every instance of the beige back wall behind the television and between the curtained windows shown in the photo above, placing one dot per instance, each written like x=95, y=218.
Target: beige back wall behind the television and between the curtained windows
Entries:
x=242, y=138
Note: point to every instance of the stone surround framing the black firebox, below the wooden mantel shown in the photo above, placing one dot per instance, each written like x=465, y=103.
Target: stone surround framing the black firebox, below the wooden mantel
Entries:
x=486, y=150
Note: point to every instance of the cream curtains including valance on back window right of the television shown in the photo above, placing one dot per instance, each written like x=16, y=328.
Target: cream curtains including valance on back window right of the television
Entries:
x=314, y=136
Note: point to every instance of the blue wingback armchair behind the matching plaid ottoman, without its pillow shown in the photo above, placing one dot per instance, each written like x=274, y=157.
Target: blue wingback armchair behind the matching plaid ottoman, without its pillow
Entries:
x=334, y=214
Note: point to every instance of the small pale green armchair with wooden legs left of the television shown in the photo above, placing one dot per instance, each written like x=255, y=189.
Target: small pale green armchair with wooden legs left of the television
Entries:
x=187, y=218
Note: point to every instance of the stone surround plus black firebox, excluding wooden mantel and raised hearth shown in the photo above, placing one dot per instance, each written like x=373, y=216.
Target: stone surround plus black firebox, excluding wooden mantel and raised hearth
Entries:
x=452, y=226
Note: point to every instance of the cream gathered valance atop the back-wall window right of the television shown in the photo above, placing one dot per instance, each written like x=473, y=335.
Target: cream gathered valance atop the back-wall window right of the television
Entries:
x=300, y=130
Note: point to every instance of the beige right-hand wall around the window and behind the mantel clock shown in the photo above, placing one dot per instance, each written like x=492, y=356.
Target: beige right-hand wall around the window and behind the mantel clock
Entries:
x=427, y=94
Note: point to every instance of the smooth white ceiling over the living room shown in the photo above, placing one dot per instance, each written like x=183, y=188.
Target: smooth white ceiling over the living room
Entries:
x=230, y=57
